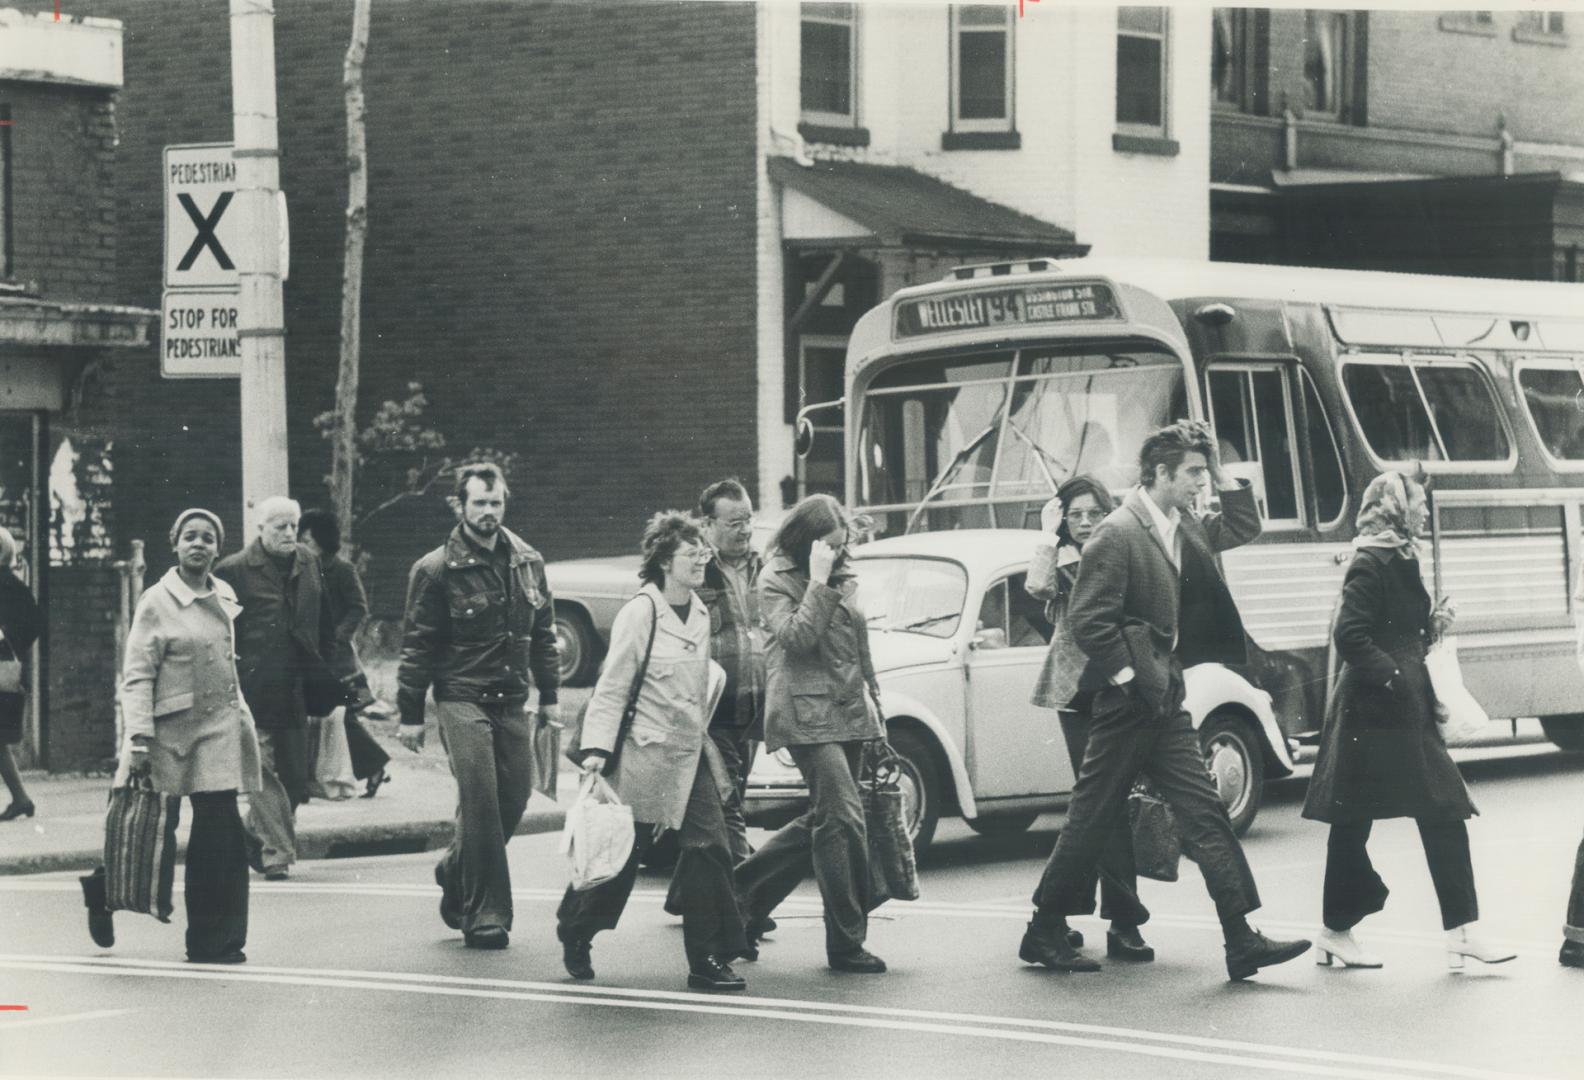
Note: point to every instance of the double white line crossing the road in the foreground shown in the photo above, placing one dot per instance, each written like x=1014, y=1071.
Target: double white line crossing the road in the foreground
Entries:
x=1200, y=1049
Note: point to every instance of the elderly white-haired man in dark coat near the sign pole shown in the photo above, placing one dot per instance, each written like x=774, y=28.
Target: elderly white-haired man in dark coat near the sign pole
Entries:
x=278, y=641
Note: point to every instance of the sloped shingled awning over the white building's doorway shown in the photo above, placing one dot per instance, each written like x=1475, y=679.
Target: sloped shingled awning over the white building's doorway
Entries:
x=851, y=205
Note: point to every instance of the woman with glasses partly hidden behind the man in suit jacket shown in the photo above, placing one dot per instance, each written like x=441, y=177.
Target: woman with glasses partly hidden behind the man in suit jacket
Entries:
x=1067, y=525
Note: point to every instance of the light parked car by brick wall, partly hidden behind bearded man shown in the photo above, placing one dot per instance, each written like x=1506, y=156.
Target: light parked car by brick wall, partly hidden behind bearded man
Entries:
x=588, y=596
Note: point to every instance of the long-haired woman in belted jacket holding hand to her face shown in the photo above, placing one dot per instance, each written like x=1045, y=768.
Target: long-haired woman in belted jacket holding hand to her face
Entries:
x=820, y=686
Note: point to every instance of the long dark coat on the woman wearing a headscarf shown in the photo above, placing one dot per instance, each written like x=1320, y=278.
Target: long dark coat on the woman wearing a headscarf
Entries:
x=1380, y=755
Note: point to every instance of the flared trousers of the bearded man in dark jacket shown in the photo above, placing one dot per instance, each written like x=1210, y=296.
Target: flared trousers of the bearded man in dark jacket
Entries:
x=490, y=748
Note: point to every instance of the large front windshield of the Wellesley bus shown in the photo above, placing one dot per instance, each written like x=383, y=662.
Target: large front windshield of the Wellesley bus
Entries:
x=983, y=439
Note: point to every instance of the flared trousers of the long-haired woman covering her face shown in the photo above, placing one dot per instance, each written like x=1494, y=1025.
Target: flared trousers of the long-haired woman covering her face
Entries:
x=829, y=839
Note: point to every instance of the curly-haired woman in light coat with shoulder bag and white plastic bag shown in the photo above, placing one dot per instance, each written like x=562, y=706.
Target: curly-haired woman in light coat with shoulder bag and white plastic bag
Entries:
x=669, y=770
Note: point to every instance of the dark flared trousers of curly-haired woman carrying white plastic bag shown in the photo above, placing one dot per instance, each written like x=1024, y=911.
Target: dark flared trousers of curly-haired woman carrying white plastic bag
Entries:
x=701, y=884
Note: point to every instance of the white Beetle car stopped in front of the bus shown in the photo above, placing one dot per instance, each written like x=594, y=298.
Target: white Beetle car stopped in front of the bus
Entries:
x=958, y=645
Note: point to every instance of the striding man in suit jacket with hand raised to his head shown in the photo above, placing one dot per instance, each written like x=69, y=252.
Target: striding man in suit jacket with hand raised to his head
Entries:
x=1125, y=615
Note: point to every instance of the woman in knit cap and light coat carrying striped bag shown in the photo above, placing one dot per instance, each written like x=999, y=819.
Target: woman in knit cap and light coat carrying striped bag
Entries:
x=189, y=729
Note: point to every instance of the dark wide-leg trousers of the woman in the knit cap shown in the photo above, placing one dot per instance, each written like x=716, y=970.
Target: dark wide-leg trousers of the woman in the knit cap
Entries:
x=216, y=878
